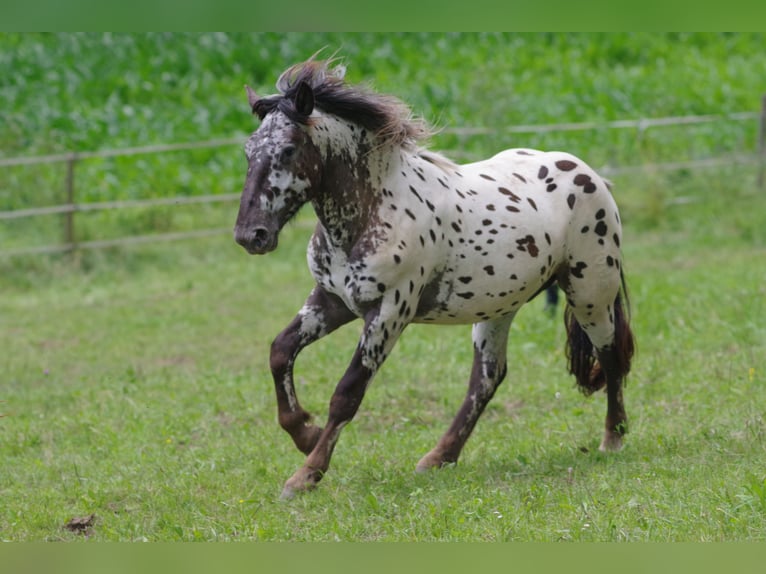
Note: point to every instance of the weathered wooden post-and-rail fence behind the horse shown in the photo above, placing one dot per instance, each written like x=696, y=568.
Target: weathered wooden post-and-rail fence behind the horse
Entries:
x=71, y=207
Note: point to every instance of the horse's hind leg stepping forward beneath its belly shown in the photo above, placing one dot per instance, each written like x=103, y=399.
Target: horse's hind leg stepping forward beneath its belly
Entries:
x=489, y=368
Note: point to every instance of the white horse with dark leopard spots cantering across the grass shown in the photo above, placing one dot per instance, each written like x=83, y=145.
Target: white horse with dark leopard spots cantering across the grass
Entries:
x=404, y=235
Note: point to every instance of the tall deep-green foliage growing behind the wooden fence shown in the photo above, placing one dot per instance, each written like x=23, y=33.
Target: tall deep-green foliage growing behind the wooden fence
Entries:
x=82, y=92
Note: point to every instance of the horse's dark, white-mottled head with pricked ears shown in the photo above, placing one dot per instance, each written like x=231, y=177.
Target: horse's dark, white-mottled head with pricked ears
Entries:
x=283, y=168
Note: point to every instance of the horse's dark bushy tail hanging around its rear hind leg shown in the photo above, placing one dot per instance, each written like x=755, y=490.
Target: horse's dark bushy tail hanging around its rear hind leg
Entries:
x=583, y=363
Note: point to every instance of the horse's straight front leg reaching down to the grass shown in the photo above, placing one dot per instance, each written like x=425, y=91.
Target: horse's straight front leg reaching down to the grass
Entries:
x=379, y=336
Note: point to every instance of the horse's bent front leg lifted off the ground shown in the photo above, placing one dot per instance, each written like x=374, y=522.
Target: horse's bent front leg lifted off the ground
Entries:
x=321, y=314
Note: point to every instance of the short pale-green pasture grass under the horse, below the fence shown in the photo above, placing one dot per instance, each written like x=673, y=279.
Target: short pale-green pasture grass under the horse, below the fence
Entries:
x=138, y=389
